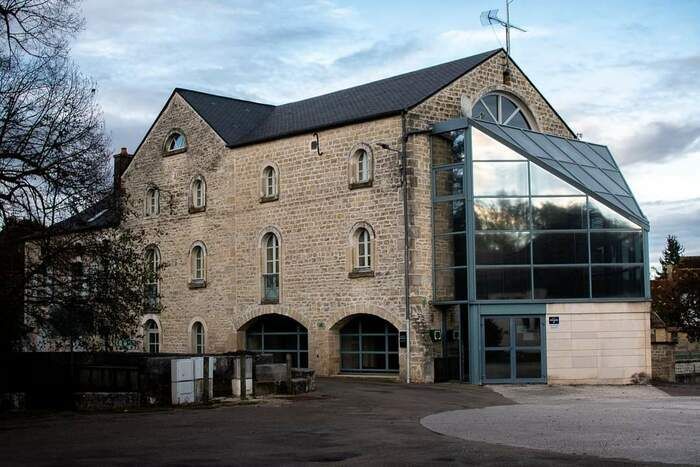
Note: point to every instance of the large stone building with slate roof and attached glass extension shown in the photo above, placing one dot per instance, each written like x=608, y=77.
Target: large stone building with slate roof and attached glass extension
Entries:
x=365, y=231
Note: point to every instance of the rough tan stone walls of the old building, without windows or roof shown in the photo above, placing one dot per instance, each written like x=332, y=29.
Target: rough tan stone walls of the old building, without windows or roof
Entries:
x=314, y=216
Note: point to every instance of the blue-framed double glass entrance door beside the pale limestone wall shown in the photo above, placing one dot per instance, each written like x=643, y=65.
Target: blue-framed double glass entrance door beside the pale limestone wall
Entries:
x=513, y=349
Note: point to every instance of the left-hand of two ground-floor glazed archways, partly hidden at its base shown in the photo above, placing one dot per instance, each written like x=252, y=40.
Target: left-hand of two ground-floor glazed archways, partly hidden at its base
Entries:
x=279, y=335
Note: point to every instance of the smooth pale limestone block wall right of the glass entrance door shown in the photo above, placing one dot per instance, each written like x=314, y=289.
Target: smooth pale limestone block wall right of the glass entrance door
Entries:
x=598, y=343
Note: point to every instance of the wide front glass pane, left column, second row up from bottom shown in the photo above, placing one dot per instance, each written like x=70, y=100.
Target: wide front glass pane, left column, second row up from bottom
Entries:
x=502, y=248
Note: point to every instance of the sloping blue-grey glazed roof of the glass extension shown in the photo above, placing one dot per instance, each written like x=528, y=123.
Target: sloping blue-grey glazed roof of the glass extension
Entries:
x=589, y=167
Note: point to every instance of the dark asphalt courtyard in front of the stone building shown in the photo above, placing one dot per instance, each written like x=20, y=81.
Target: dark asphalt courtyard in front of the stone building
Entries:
x=347, y=421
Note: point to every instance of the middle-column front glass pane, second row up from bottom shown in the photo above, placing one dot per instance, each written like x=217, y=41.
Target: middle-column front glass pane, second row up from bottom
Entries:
x=559, y=248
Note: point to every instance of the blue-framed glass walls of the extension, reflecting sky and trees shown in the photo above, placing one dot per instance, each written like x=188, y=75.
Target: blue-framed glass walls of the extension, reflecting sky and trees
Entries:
x=535, y=237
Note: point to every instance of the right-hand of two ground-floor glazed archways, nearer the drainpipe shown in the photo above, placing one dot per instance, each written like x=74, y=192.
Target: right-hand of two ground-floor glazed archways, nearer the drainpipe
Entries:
x=369, y=344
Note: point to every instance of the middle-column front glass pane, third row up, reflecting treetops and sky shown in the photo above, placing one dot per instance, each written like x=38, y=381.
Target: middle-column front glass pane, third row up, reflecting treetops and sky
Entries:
x=559, y=213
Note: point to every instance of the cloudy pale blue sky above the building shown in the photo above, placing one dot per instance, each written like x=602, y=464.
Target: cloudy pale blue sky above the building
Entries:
x=622, y=73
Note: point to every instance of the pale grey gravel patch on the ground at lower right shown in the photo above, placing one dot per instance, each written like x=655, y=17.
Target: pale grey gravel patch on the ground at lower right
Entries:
x=639, y=423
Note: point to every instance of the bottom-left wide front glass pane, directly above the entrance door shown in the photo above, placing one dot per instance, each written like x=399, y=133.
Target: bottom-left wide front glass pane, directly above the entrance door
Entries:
x=501, y=284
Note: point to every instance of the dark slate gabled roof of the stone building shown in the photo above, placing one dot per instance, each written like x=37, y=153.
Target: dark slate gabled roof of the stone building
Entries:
x=242, y=122
